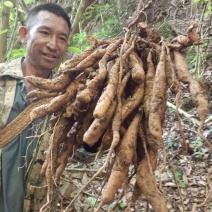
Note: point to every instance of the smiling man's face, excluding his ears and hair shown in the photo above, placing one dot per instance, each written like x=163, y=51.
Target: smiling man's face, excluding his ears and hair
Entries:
x=46, y=41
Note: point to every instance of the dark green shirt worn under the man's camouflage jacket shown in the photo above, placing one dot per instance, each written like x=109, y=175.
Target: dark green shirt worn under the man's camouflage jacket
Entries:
x=16, y=156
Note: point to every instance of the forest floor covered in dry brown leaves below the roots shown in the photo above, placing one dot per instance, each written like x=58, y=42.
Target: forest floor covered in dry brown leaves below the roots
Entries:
x=184, y=178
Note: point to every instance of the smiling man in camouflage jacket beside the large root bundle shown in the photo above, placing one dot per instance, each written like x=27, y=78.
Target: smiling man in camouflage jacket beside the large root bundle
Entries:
x=46, y=38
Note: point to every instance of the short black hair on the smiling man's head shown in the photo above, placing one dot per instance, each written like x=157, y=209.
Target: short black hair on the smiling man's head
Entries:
x=52, y=8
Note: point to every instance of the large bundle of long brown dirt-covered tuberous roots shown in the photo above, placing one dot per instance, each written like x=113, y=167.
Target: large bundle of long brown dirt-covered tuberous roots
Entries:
x=115, y=93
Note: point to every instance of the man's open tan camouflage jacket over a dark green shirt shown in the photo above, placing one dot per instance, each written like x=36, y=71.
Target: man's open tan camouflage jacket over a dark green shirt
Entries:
x=35, y=191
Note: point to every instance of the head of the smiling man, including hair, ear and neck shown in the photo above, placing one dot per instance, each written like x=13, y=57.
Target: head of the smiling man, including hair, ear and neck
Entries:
x=46, y=38
